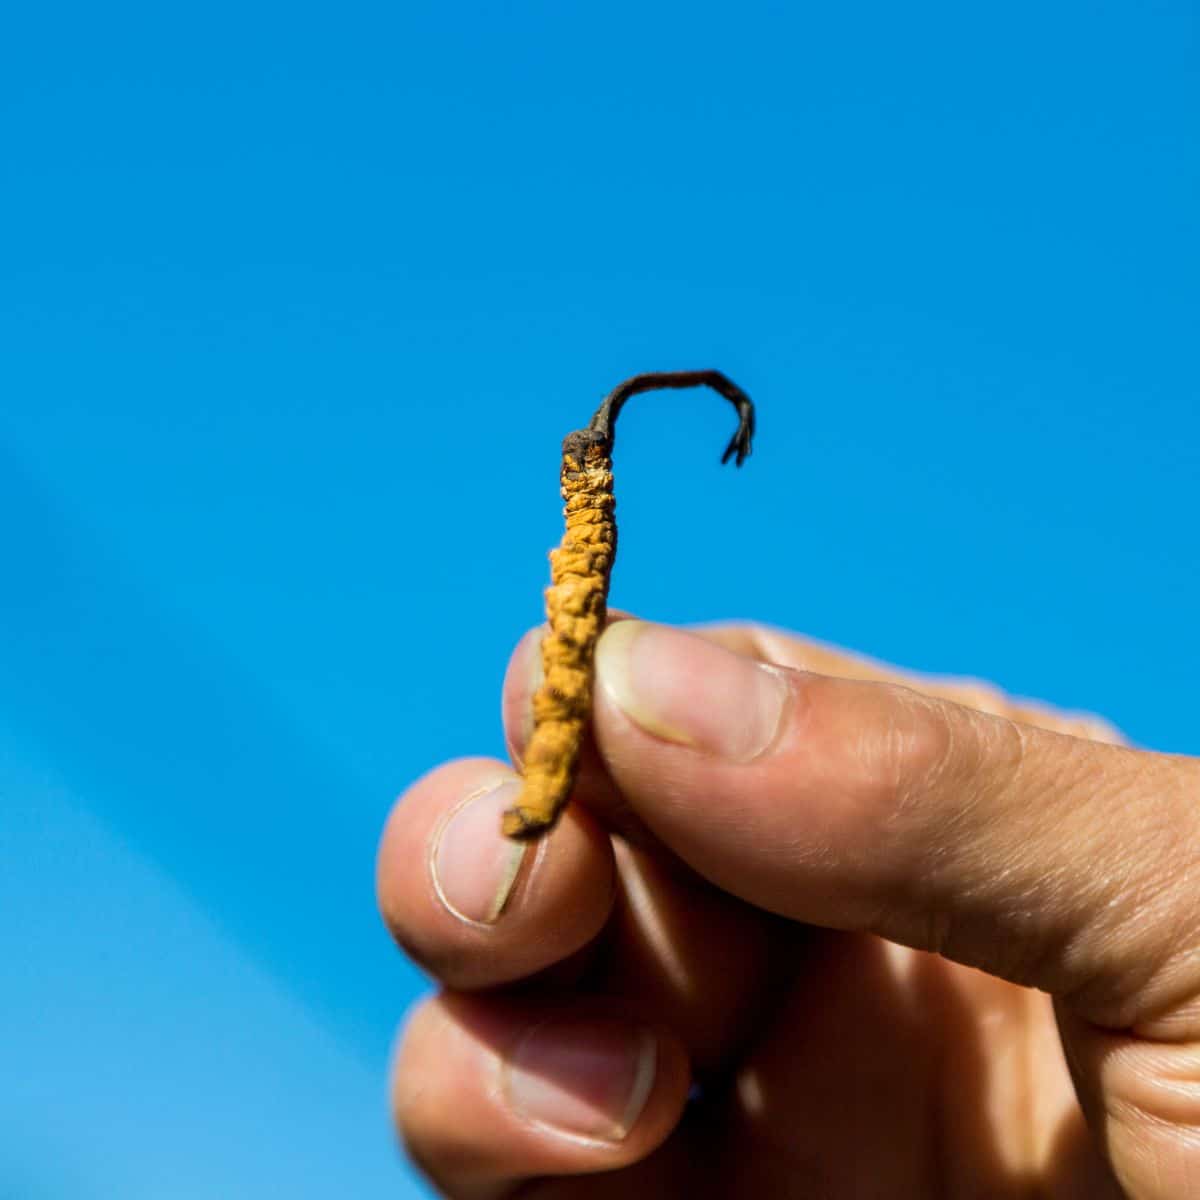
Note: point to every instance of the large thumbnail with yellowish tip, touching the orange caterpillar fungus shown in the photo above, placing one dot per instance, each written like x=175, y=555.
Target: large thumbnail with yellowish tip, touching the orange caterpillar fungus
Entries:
x=685, y=689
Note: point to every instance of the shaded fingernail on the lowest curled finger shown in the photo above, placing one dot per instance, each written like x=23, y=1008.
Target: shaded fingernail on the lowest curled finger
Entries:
x=584, y=1078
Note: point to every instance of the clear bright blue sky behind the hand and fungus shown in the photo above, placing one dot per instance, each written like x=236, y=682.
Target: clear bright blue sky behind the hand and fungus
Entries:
x=296, y=305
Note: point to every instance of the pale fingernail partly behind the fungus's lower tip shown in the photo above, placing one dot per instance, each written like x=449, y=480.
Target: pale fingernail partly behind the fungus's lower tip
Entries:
x=475, y=867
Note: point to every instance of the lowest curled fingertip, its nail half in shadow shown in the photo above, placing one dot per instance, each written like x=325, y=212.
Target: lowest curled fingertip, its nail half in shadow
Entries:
x=491, y=1089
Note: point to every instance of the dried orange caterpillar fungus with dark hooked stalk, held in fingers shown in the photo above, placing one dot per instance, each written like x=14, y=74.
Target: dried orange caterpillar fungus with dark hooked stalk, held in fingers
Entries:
x=577, y=601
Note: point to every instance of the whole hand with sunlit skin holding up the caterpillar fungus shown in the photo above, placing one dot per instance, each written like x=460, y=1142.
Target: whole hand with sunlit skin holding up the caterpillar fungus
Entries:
x=909, y=938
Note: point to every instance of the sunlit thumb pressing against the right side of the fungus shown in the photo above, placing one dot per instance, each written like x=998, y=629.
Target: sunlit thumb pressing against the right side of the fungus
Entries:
x=1049, y=861
